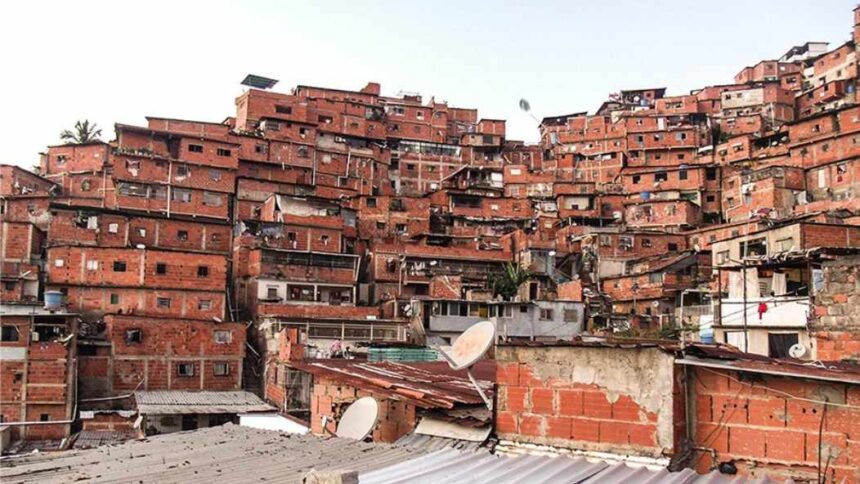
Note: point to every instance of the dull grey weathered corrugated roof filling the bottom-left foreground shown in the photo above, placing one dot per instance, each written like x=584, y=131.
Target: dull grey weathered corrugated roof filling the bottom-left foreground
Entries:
x=229, y=453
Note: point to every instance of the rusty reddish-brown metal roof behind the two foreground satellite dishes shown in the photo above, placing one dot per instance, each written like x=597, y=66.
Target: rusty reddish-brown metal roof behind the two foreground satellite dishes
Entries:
x=429, y=385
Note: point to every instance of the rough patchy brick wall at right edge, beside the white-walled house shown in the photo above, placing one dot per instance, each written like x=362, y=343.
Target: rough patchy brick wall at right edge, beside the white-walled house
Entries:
x=836, y=325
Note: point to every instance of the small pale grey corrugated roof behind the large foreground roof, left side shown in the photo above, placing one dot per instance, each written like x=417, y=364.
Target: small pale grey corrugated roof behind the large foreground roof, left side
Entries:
x=171, y=402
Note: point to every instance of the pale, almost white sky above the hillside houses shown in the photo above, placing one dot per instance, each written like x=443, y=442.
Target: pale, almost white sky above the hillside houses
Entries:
x=117, y=62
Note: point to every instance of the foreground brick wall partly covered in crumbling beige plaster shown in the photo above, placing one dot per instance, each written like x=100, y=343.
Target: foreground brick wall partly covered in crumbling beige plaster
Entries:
x=597, y=399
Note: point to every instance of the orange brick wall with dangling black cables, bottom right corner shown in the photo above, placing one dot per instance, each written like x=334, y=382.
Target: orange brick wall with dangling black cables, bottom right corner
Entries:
x=755, y=422
